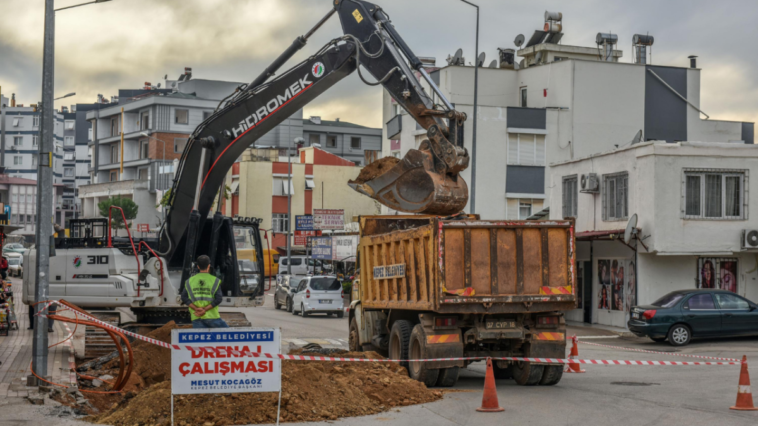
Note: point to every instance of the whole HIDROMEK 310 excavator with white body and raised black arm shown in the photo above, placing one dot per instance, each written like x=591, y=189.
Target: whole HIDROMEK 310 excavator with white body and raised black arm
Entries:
x=98, y=271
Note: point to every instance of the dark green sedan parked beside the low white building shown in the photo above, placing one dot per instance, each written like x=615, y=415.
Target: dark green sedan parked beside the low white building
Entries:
x=685, y=314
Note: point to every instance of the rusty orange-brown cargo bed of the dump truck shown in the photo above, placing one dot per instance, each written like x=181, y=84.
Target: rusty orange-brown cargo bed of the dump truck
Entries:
x=467, y=265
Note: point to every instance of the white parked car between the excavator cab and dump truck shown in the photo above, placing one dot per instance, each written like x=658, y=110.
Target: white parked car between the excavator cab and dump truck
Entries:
x=318, y=295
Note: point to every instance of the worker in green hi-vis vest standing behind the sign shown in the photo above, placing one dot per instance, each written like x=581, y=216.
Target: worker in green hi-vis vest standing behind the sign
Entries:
x=203, y=295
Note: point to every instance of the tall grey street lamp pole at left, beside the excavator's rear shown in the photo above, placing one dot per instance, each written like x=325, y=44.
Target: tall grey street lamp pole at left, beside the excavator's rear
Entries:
x=44, y=230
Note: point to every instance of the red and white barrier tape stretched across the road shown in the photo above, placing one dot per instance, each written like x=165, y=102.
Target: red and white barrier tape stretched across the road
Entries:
x=225, y=352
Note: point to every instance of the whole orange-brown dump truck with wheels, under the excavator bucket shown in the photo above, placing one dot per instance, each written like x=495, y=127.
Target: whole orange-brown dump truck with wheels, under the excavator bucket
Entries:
x=455, y=287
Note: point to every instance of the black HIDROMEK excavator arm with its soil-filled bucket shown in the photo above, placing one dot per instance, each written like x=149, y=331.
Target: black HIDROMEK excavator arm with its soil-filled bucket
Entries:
x=424, y=181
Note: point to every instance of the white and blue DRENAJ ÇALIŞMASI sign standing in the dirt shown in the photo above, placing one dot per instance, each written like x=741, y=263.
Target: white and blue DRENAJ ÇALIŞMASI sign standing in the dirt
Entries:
x=198, y=371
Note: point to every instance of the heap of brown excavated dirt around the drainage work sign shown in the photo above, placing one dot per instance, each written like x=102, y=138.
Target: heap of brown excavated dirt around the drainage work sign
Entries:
x=312, y=391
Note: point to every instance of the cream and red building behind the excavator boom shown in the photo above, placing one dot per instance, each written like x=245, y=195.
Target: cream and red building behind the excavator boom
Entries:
x=258, y=185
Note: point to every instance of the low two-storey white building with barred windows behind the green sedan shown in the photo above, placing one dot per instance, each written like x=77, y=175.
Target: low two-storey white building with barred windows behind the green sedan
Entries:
x=693, y=204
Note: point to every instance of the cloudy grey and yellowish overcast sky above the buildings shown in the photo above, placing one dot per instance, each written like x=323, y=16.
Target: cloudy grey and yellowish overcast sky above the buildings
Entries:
x=121, y=44
